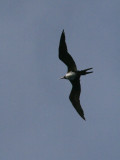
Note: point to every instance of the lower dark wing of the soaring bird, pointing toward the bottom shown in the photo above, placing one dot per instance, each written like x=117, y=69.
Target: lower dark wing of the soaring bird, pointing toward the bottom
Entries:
x=74, y=97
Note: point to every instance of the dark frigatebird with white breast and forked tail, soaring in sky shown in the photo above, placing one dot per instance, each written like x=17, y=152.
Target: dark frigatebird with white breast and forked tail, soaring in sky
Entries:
x=73, y=75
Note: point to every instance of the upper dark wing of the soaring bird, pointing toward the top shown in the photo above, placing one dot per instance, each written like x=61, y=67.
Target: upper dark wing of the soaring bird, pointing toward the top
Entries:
x=64, y=55
